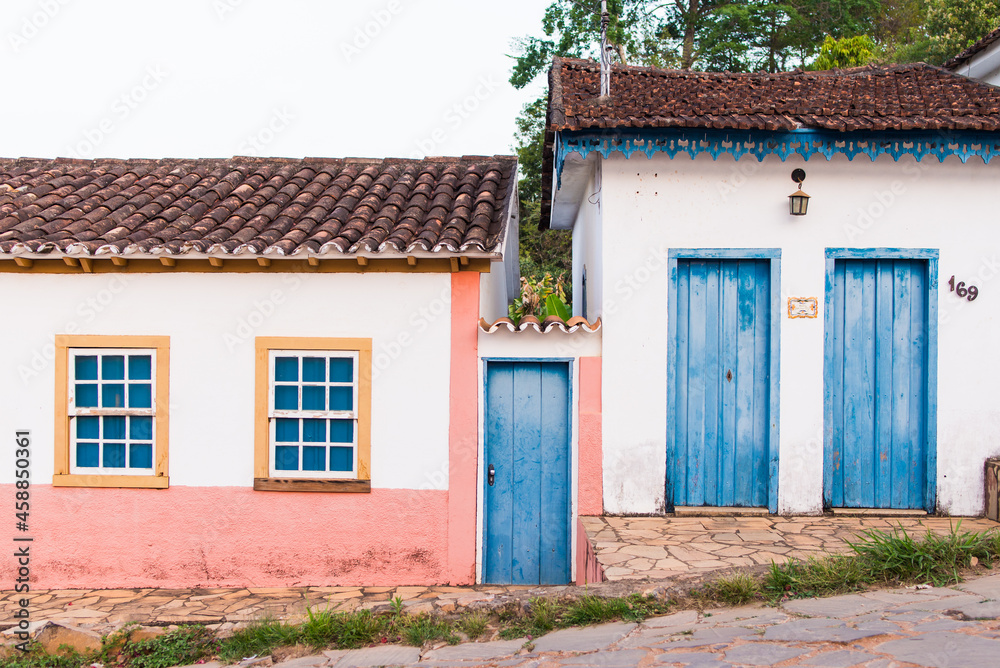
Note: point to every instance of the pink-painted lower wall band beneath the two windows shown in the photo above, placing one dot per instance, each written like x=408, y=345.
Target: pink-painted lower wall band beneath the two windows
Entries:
x=232, y=536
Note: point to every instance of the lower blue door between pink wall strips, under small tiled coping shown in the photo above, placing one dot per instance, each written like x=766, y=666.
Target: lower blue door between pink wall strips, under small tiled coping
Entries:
x=527, y=508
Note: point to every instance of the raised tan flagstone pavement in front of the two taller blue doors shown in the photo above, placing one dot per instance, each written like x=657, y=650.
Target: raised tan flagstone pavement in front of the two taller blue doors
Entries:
x=683, y=548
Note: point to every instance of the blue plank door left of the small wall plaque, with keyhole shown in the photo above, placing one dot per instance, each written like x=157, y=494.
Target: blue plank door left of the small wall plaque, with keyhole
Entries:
x=721, y=384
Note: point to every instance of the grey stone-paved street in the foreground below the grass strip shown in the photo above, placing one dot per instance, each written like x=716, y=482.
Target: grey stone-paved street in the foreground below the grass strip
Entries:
x=940, y=628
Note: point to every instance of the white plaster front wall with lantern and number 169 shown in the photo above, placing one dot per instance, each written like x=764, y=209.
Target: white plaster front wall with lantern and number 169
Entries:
x=653, y=205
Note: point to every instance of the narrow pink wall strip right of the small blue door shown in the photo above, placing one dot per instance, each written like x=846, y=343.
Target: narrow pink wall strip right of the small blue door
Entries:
x=591, y=475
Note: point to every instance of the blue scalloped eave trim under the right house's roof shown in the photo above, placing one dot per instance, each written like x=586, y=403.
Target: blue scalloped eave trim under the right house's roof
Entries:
x=761, y=143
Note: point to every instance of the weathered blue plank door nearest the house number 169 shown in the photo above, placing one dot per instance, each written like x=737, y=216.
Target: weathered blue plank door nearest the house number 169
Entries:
x=877, y=452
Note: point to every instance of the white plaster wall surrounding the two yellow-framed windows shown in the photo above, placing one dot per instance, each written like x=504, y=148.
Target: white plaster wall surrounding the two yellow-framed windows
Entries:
x=212, y=321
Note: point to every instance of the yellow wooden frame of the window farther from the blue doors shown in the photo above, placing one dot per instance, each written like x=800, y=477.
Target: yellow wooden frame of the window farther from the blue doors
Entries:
x=63, y=476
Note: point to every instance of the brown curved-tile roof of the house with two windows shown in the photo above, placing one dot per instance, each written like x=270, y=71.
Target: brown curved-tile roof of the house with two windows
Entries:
x=255, y=206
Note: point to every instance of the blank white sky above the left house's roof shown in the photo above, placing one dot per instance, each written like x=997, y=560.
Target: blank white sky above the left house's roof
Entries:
x=290, y=78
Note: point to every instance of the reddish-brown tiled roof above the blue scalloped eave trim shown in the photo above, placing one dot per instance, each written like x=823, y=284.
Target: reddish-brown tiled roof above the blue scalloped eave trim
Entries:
x=915, y=96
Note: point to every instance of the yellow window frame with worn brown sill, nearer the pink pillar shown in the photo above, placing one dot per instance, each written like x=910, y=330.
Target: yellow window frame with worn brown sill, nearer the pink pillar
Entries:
x=263, y=480
